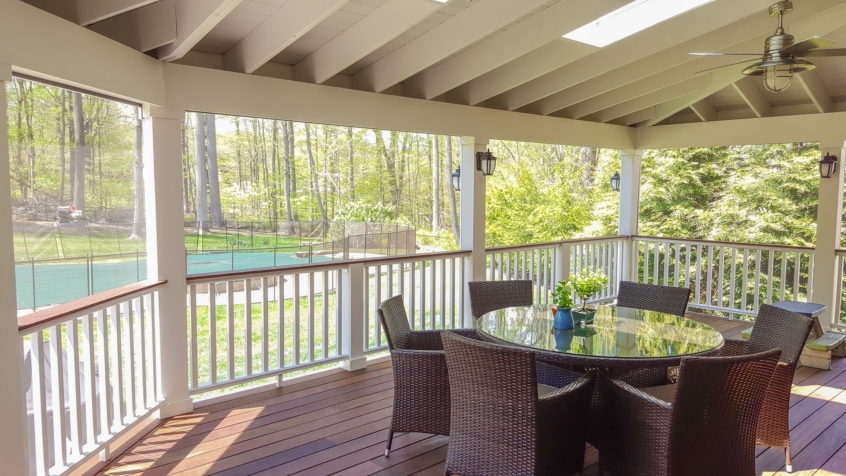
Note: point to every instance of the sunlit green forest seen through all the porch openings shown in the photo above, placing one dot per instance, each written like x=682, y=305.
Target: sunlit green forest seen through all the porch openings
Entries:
x=79, y=150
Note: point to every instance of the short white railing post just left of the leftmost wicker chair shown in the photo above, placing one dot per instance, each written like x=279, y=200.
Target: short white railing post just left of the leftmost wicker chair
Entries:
x=352, y=317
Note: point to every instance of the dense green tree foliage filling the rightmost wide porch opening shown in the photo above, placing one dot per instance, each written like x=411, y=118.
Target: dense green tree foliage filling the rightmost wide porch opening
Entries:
x=757, y=193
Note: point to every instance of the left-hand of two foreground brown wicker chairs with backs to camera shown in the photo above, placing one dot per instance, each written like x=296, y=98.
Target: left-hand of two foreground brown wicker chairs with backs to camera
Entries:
x=502, y=423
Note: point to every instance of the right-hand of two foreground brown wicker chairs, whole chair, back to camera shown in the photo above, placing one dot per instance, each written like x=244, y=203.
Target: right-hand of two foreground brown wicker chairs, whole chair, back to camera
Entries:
x=708, y=429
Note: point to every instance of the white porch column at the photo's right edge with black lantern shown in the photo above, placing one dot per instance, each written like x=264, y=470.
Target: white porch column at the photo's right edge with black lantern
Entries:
x=829, y=213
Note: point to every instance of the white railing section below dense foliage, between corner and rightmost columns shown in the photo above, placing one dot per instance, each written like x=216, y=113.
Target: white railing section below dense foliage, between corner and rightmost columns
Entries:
x=734, y=278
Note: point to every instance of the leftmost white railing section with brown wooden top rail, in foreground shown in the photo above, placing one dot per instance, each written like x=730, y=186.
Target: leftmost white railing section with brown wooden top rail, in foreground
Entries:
x=91, y=373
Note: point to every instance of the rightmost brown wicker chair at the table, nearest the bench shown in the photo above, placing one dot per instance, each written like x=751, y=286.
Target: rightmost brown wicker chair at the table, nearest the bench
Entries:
x=776, y=328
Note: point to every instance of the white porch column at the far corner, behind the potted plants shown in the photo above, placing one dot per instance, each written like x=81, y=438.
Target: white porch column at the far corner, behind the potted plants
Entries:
x=629, y=209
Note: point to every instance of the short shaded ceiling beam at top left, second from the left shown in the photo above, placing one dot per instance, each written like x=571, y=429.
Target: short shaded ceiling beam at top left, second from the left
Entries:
x=143, y=29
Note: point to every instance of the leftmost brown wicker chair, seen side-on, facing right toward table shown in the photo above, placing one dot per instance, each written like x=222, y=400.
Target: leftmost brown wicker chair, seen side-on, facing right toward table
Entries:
x=421, y=386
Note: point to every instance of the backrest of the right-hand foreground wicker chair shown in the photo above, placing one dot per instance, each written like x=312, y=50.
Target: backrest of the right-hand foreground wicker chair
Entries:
x=715, y=413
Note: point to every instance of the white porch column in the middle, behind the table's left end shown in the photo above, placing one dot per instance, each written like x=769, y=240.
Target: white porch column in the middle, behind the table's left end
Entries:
x=472, y=217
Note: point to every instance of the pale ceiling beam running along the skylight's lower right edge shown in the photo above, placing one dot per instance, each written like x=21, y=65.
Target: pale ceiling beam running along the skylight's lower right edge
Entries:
x=649, y=42
